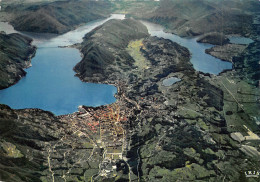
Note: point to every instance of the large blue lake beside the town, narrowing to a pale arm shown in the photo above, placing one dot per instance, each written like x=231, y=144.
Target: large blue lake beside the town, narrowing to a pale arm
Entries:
x=50, y=83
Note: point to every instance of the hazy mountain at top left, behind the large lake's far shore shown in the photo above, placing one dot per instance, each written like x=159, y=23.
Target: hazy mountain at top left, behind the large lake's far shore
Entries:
x=55, y=17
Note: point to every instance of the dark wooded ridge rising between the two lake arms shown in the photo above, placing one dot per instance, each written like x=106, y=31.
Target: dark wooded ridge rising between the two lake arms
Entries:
x=101, y=53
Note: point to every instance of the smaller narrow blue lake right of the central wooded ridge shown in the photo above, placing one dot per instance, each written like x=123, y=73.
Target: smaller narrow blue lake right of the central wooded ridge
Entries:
x=200, y=60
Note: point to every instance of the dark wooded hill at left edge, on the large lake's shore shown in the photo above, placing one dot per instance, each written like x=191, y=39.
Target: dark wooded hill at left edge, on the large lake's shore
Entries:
x=15, y=55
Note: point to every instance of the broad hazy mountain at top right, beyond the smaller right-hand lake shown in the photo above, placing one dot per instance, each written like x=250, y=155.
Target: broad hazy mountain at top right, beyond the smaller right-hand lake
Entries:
x=196, y=17
